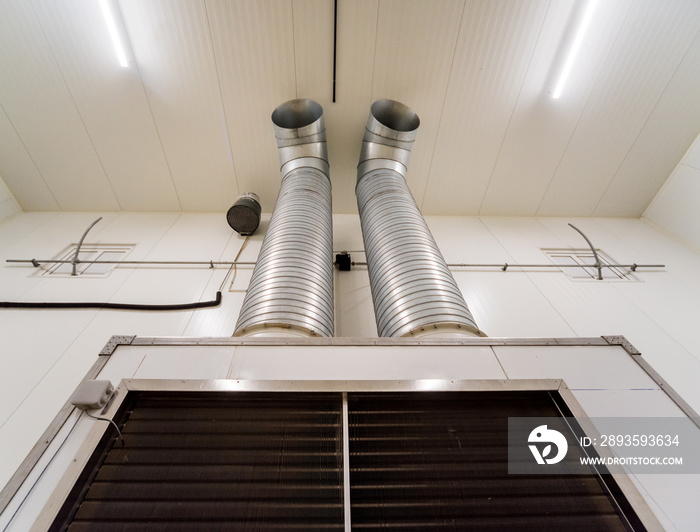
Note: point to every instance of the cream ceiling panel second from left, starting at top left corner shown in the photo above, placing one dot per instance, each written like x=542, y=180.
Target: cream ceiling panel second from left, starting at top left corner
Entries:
x=34, y=95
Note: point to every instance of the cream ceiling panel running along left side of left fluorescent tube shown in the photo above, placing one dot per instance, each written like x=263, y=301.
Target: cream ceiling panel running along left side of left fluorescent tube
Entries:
x=111, y=102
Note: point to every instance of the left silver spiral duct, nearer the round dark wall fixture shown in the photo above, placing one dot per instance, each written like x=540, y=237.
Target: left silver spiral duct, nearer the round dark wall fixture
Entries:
x=292, y=283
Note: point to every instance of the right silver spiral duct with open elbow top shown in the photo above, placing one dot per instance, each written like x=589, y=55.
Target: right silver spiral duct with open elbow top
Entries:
x=412, y=288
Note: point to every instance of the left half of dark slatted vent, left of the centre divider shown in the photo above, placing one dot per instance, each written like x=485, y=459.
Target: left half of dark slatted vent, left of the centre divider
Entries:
x=214, y=462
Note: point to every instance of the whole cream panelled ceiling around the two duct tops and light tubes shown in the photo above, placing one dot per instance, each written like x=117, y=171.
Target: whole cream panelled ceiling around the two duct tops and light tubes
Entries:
x=186, y=126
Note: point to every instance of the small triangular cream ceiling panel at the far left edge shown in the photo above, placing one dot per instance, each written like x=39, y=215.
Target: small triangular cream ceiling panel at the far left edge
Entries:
x=20, y=173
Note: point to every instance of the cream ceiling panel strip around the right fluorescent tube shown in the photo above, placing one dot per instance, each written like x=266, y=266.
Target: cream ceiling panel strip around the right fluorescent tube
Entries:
x=541, y=127
